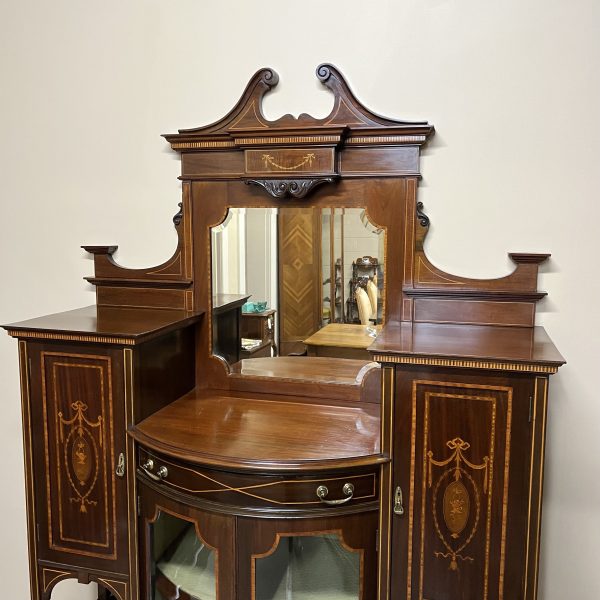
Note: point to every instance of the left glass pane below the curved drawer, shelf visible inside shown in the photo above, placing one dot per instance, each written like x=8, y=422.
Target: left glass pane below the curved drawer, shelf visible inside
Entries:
x=183, y=566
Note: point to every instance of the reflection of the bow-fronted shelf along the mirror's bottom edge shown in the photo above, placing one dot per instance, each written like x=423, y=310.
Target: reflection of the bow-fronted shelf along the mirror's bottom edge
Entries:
x=340, y=371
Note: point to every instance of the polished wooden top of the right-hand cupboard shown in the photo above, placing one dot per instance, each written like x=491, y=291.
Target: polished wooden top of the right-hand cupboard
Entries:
x=522, y=345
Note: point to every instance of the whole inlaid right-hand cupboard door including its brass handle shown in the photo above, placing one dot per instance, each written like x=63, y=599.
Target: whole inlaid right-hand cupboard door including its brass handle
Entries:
x=461, y=460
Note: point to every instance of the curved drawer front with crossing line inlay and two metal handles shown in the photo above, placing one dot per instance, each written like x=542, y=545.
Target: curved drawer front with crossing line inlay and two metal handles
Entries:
x=261, y=491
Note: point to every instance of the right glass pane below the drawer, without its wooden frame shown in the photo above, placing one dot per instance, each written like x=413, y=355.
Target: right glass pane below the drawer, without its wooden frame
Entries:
x=309, y=568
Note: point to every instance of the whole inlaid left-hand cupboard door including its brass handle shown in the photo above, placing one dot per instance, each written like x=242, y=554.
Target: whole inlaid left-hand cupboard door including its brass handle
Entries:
x=81, y=489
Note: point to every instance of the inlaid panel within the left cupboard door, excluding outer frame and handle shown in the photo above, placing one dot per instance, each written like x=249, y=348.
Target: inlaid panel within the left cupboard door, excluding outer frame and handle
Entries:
x=78, y=411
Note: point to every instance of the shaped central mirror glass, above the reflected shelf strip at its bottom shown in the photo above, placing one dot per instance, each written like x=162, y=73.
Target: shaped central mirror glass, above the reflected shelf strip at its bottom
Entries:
x=295, y=281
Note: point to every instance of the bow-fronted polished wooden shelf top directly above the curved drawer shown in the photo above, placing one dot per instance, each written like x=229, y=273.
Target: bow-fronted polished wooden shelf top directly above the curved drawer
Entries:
x=217, y=429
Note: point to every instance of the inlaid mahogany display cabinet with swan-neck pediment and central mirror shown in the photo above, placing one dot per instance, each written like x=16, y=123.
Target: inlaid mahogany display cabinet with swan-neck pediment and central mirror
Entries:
x=162, y=462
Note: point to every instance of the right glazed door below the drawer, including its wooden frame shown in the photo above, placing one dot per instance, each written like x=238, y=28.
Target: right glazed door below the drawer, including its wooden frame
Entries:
x=327, y=558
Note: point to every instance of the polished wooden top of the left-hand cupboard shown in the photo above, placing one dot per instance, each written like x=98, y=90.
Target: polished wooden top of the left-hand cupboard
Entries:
x=104, y=324
